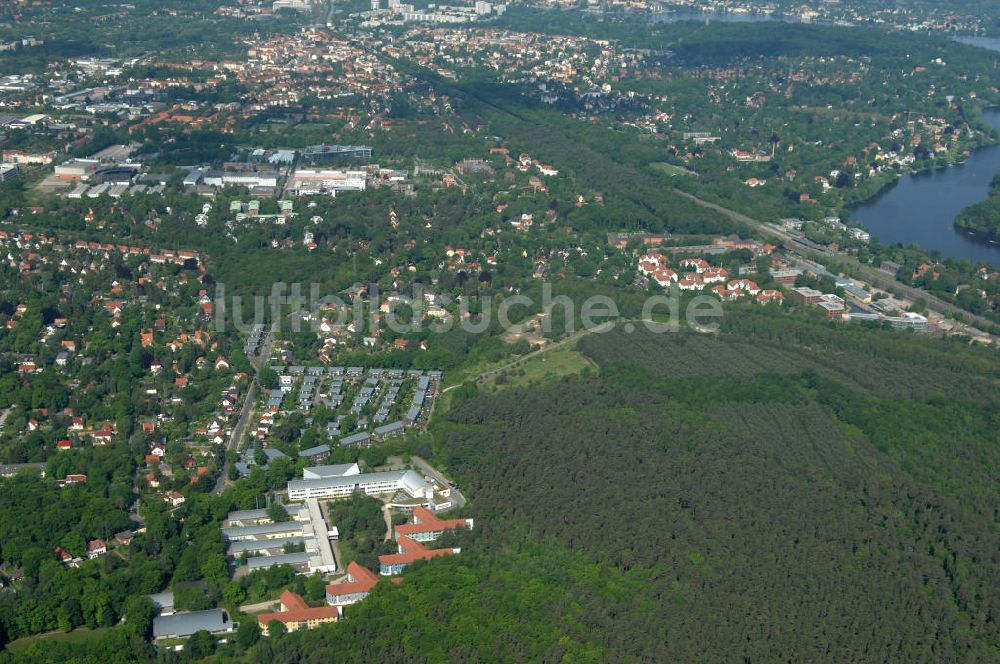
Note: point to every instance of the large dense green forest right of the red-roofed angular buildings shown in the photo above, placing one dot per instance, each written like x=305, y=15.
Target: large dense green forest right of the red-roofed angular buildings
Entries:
x=791, y=492
